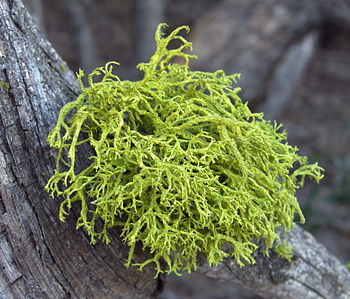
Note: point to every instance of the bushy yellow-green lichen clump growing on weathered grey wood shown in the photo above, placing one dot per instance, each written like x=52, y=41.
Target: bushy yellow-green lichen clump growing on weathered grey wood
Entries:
x=180, y=163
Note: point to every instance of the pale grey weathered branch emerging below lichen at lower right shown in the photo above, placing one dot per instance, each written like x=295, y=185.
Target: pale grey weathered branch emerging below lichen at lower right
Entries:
x=313, y=273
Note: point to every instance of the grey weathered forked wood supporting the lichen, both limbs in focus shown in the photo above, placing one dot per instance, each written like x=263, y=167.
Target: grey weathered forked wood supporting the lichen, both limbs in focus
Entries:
x=41, y=257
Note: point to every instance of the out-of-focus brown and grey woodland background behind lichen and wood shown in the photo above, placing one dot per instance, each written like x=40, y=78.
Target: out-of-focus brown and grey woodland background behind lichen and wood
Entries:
x=294, y=57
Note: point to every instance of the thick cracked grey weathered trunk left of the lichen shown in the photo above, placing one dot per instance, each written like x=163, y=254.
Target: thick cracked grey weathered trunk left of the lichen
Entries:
x=41, y=257
